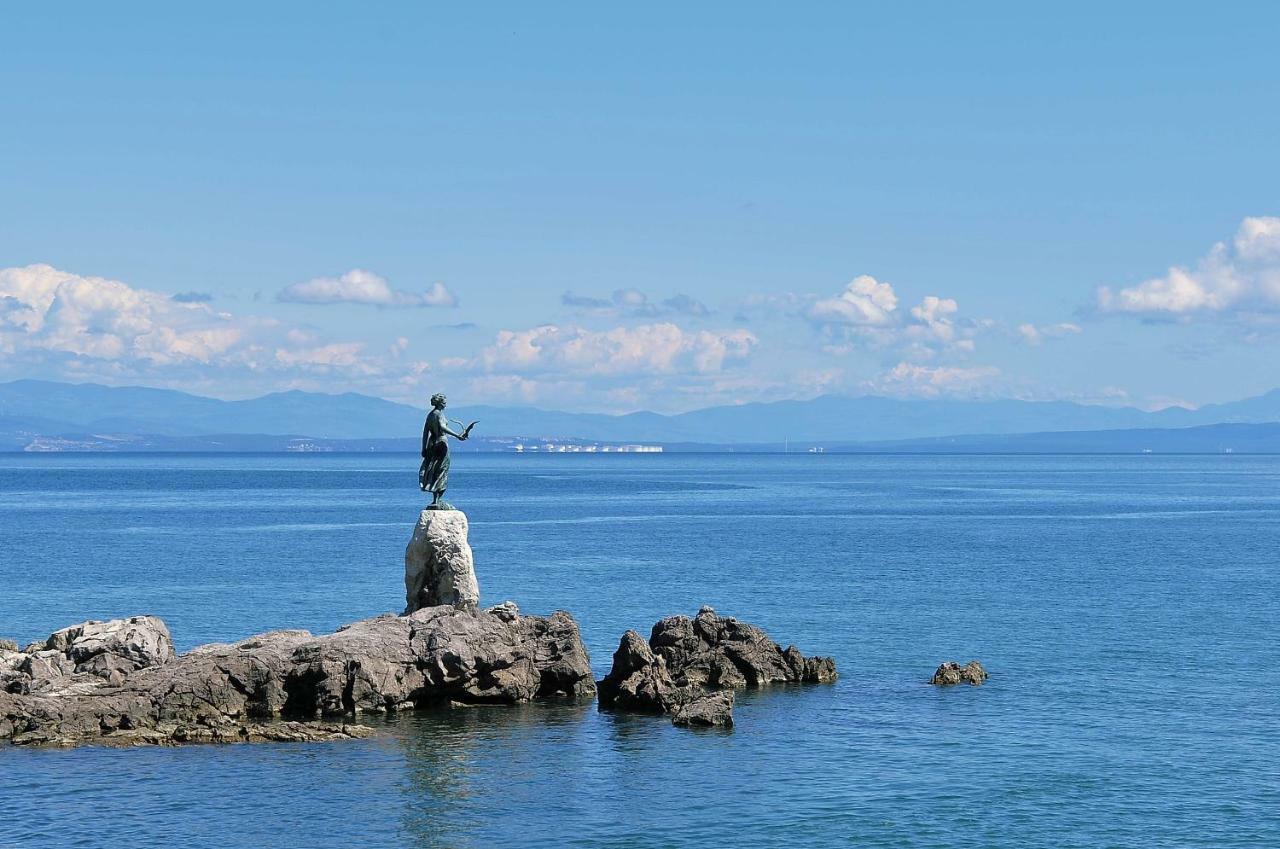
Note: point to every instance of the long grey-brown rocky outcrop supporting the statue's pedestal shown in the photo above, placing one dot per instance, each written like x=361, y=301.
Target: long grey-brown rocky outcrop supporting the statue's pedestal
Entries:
x=284, y=686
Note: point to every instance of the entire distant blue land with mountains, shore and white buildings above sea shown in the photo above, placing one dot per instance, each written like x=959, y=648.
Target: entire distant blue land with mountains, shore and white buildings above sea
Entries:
x=51, y=417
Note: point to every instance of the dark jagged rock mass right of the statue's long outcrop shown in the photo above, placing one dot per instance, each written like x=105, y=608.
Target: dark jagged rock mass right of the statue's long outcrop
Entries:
x=688, y=665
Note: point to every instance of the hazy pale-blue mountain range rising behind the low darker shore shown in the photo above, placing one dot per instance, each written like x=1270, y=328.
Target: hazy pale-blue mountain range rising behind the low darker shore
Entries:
x=52, y=414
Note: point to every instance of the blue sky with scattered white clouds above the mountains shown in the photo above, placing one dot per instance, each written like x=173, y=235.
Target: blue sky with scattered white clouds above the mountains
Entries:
x=646, y=207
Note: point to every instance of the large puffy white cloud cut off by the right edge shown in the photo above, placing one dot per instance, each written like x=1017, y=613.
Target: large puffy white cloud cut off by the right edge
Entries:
x=1242, y=276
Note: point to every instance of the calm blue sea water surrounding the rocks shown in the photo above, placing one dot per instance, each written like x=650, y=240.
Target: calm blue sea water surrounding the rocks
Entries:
x=1127, y=609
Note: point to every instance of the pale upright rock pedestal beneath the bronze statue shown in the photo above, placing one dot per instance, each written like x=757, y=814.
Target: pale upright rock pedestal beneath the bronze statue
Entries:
x=438, y=564
